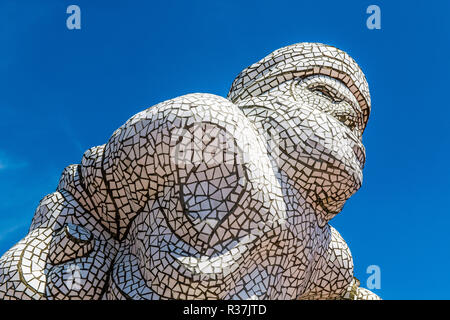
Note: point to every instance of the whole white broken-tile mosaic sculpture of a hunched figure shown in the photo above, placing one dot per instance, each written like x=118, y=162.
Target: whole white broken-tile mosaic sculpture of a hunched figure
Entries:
x=202, y=197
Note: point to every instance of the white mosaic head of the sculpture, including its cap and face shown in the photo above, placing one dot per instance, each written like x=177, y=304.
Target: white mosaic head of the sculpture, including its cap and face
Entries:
x=318, y=103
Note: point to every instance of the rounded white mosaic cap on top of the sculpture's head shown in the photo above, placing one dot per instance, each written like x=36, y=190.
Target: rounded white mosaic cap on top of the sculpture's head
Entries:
x=297, y=61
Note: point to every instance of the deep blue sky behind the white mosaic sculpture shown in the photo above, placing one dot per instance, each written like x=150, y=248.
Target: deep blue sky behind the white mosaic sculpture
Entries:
x=63, y=91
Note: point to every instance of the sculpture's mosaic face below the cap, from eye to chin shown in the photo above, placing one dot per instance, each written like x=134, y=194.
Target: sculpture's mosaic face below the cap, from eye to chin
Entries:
x=324, y=125
